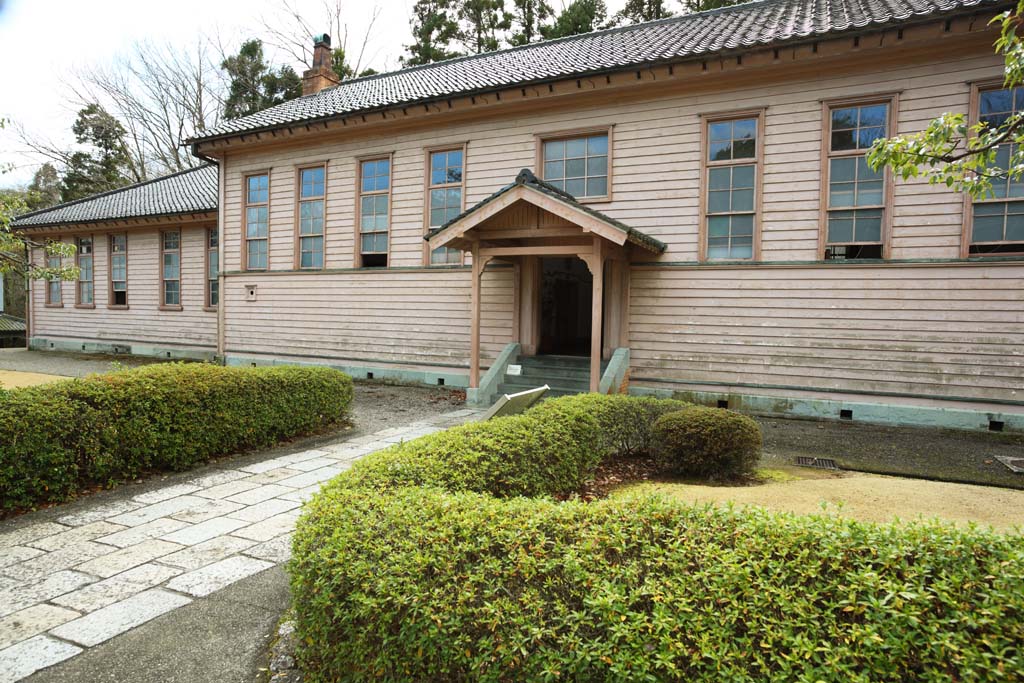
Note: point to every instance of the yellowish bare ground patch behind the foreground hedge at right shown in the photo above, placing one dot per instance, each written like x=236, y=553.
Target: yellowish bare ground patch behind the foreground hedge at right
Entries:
x=865, y=497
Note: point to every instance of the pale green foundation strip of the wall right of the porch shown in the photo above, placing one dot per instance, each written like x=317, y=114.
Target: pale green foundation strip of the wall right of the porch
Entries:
x=824, y=409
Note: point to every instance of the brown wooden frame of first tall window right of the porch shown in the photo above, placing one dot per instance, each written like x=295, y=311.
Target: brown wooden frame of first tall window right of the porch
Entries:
x=706, y=165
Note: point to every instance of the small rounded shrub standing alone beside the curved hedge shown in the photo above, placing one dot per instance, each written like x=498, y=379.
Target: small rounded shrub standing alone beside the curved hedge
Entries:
x=707, y=443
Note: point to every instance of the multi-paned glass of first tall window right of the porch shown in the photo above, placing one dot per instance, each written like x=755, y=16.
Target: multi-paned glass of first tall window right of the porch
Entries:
x=731, y=203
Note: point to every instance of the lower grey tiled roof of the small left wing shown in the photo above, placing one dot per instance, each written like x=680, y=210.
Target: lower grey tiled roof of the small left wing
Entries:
x=194, y=191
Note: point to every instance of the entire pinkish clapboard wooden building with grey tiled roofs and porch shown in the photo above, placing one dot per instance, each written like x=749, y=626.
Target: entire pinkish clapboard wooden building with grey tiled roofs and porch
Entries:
x=685, y=203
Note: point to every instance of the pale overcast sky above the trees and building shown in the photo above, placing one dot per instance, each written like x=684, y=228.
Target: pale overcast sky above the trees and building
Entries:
x=42, y=41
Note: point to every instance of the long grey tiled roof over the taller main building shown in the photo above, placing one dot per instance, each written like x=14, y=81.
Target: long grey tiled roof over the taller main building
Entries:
x=762, y=23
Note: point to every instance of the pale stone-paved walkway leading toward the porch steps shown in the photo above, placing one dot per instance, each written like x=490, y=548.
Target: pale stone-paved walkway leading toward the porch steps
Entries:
x=102, y=571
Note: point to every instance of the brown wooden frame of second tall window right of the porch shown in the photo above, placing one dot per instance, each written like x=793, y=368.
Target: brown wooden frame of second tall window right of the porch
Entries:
x=892, y=101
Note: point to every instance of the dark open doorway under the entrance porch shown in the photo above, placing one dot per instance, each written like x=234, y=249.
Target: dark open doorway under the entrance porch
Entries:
x=567, y=296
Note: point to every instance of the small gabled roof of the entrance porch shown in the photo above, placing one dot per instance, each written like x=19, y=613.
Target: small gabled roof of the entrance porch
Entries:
x=531, y=189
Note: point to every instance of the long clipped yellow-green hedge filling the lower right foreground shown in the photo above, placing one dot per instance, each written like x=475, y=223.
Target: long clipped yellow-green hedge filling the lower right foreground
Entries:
x=424, y=585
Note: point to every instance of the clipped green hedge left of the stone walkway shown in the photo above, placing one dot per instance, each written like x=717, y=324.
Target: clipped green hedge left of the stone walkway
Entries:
x=59, y=439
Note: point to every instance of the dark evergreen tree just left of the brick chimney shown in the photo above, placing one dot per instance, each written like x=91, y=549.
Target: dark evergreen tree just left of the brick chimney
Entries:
x=254, y=84
